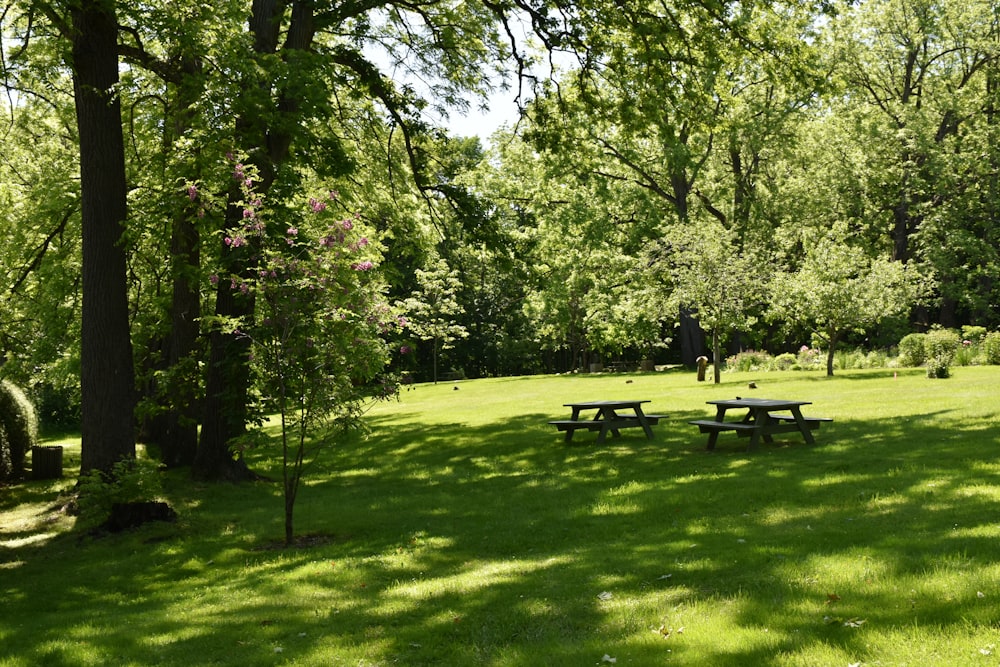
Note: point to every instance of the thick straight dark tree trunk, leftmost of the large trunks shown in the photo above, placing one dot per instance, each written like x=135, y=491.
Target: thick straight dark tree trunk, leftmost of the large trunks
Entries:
x=107, y=375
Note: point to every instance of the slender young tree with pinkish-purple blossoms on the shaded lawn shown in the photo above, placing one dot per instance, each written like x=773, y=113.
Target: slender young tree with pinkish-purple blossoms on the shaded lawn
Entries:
x=320, y=328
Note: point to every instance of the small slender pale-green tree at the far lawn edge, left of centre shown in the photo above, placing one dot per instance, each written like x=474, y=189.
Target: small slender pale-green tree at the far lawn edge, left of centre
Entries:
x=432, y=308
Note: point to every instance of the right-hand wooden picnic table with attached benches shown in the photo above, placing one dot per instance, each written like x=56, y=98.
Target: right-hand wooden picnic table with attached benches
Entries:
x=764, y=418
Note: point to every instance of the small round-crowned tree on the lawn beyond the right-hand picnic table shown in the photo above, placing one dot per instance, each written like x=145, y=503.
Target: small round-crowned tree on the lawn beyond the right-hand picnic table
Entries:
x=839, y=289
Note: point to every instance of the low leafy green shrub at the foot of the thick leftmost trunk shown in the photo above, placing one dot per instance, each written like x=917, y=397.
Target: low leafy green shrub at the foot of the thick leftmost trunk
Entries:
x=129, y=481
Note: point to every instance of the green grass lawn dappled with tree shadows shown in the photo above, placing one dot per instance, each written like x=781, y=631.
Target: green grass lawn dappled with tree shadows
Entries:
x=464, y=531
